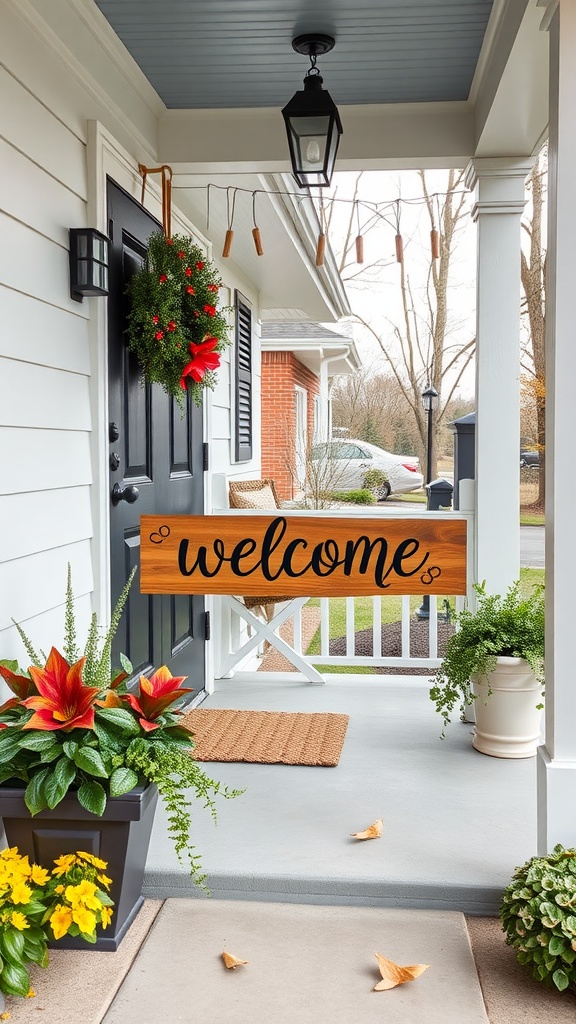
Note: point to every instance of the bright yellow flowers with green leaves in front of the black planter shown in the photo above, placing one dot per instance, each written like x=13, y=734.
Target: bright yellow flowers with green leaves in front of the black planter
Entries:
x=38, y=906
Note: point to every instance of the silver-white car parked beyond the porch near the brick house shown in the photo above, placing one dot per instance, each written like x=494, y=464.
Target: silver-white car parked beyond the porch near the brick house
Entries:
x=346, y=462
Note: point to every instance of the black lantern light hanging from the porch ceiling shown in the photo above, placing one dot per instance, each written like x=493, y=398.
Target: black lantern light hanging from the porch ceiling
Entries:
x=312, y=118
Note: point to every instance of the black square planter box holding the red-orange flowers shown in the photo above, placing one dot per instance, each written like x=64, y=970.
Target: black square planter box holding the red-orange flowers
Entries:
x=121, y=838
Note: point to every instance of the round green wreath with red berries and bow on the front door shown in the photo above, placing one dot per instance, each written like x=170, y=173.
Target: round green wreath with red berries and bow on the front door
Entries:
x=175, y=327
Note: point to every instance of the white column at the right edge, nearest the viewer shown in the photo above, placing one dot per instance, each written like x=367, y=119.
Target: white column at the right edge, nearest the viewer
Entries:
x=557, y=760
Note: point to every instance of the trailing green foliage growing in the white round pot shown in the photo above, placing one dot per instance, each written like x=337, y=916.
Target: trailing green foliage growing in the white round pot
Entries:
x=502, y=627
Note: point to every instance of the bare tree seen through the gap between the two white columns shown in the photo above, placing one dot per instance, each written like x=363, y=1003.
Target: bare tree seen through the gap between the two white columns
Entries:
x=533, y=270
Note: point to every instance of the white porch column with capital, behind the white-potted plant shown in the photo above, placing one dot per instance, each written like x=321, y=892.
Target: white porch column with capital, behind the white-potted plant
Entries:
x=501, y=202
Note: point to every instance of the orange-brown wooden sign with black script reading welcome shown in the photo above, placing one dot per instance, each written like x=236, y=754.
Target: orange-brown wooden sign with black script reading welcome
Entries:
x=298, y=557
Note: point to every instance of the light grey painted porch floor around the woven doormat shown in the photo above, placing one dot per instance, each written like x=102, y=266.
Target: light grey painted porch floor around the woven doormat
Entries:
x=457, y=823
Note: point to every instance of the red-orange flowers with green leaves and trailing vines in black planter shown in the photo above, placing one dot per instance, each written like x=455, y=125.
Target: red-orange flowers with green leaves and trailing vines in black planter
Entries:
x=73, y=726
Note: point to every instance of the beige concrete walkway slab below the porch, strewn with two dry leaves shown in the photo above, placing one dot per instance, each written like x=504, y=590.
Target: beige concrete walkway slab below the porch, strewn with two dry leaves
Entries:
x=310, y=965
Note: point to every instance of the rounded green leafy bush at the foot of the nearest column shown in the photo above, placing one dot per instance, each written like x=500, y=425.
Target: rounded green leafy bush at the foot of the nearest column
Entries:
x=539, y=915
